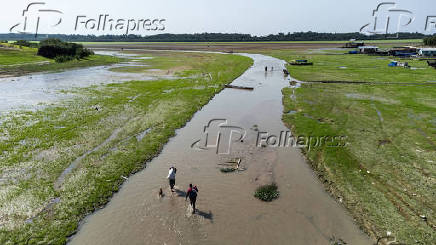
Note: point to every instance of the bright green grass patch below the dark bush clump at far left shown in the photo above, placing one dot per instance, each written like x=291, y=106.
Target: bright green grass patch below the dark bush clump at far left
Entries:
x=15, y=62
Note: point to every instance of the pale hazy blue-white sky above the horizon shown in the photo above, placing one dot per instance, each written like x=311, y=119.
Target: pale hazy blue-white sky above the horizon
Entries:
x=256, y=17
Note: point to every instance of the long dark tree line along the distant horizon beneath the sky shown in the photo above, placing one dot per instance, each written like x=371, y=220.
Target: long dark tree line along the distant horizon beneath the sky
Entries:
x=211, y=37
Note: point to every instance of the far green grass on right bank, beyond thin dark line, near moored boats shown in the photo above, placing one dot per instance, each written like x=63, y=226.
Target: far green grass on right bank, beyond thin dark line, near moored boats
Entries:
x=333, y=65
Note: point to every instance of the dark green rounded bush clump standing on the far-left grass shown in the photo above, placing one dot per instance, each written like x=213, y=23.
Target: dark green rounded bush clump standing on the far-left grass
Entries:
x=53, y=48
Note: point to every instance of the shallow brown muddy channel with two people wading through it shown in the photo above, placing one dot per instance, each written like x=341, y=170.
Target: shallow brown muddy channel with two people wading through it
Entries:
x=227, y=211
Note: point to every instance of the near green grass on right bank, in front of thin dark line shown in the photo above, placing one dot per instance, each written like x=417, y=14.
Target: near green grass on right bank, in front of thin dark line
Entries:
x=386, y=174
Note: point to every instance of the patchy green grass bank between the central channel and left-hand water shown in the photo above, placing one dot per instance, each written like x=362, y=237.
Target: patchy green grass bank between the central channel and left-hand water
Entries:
x=38, y=146
